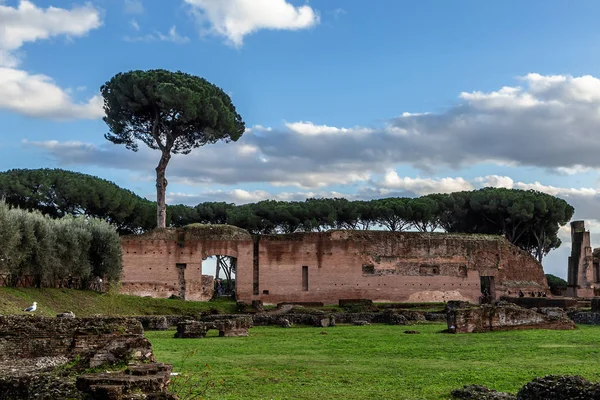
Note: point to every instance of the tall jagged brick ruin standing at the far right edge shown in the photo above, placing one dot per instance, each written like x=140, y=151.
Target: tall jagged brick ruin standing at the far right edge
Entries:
x=583, y=275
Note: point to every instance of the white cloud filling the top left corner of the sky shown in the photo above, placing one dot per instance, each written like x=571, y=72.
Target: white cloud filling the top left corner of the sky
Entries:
x=28, y=23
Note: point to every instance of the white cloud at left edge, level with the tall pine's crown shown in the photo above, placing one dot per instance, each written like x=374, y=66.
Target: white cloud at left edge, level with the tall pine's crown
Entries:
x=38, y=96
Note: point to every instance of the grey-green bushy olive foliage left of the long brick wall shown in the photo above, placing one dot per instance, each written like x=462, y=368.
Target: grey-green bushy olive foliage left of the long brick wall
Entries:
x=49, y=250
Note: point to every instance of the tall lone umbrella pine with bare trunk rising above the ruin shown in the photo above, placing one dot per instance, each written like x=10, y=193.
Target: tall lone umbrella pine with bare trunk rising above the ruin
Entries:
x=173, y=112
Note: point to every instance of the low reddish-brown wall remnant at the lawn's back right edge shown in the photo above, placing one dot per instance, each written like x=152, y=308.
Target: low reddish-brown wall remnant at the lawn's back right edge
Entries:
x=506, y=317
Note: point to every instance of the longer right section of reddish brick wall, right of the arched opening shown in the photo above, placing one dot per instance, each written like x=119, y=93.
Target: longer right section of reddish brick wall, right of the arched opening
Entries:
x=389, y=266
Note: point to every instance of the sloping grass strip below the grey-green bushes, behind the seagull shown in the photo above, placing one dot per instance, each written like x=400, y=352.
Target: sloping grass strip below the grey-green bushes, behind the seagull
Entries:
x=84, y=303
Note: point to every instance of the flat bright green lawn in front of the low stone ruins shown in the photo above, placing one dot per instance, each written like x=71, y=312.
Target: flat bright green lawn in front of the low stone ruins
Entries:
x=376, y=361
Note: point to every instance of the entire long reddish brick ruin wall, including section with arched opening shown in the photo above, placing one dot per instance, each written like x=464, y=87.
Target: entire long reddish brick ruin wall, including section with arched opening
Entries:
x=328, y=266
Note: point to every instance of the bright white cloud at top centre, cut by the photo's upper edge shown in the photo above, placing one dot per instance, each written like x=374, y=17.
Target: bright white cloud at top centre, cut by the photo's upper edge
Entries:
x=235, y=19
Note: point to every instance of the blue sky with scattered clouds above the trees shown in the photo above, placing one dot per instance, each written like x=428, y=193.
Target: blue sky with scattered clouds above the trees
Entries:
x=341, y=98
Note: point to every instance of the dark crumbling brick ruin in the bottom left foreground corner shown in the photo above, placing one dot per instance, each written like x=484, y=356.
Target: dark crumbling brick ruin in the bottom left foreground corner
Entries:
x=41, y=358
